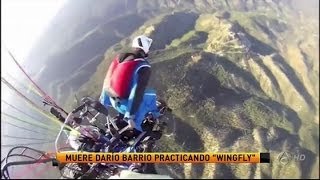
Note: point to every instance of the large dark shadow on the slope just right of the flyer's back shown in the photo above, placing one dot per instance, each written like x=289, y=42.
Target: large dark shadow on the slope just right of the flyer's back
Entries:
x=203, y=84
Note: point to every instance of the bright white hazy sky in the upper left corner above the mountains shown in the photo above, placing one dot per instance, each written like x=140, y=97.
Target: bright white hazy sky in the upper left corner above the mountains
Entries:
x=23, y=21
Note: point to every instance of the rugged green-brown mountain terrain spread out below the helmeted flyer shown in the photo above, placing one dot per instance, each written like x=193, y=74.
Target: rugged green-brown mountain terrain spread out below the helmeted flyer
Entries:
x=240, y=75
